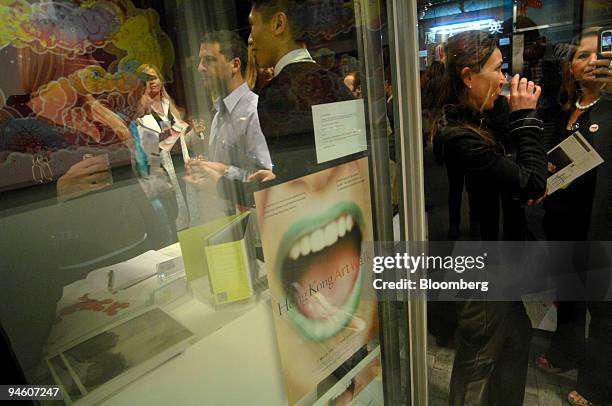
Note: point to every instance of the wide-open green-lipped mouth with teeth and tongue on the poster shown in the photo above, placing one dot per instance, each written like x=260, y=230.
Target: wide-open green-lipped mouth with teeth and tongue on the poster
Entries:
x=319, y=266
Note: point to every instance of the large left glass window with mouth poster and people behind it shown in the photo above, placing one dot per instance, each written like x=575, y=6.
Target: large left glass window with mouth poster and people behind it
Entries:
x=188, y=193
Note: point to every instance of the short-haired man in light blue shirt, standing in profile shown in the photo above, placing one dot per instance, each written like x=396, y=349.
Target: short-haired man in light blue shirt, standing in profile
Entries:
x=237, y=147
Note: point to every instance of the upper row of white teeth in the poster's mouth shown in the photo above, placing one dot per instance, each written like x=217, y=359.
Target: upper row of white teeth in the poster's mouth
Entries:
x=322, y=237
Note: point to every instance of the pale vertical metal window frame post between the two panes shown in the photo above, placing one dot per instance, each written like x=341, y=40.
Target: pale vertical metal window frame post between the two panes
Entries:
x=402, y=20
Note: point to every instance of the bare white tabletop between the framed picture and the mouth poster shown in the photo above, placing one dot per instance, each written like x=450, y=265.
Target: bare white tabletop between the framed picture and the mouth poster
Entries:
x=237, y=364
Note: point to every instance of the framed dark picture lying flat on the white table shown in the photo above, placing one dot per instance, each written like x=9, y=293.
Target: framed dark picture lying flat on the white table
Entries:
x=102, y=363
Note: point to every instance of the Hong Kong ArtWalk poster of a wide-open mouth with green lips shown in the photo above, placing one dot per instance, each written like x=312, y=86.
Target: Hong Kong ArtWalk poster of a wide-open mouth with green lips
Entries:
x=313, y=231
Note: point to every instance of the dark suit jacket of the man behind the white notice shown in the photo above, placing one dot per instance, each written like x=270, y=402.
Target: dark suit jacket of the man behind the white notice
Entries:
x=285, y=113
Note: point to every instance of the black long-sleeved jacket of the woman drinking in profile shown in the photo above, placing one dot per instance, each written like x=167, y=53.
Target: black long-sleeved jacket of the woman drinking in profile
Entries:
x=488, y=170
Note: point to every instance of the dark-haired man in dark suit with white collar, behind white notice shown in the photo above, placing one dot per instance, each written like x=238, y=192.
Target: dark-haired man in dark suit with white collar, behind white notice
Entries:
x=285, y=104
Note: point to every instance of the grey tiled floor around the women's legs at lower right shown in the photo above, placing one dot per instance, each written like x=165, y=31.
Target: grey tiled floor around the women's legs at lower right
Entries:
x=541, y=390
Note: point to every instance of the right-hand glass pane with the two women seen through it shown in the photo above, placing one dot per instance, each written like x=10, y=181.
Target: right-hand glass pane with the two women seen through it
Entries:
x=498, y=168
